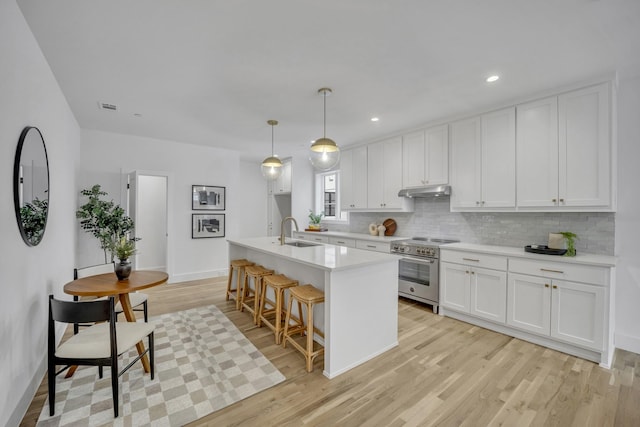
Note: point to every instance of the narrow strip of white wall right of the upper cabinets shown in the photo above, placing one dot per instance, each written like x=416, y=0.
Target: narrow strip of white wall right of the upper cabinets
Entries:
x=627, y=330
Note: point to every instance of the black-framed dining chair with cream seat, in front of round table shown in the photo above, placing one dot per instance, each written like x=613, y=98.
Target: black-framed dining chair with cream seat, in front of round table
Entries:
x=98, y=345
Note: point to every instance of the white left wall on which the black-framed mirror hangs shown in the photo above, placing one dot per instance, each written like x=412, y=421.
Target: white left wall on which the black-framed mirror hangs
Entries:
x=30, y=96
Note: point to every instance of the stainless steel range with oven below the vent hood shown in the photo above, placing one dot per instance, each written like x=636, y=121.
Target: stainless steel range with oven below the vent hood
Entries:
x=419, y=268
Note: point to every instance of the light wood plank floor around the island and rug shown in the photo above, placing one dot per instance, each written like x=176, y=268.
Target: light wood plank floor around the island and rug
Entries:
x=444, y=372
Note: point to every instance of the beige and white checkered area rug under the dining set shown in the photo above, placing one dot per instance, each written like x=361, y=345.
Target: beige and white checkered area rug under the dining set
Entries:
x=203, y=363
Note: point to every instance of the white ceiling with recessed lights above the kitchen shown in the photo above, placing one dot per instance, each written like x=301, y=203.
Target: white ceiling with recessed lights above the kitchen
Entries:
x=212, y=72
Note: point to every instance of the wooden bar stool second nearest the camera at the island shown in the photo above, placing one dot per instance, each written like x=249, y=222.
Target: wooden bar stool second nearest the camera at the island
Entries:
x=271, y=312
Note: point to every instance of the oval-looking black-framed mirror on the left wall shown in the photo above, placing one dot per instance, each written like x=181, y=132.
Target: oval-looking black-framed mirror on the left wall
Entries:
x=31, y=185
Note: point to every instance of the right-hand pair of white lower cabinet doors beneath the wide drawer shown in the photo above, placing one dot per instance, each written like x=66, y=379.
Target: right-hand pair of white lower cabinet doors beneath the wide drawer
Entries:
x=568, y=311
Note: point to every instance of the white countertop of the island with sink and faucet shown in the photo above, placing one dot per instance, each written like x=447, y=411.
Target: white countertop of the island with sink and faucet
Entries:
x=324, y=256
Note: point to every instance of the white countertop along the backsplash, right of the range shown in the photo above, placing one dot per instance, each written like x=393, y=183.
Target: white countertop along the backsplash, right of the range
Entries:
x=588, y=259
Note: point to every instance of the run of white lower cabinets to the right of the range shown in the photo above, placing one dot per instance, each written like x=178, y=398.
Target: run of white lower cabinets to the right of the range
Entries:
x=561, y=304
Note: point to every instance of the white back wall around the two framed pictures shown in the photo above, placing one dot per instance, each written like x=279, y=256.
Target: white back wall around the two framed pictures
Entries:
x=106, y=156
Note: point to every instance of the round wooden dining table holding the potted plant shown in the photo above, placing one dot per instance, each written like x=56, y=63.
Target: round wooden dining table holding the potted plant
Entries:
x=108, y=284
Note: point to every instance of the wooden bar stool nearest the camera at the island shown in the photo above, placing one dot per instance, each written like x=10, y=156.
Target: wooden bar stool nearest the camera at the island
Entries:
x=309, y=296
